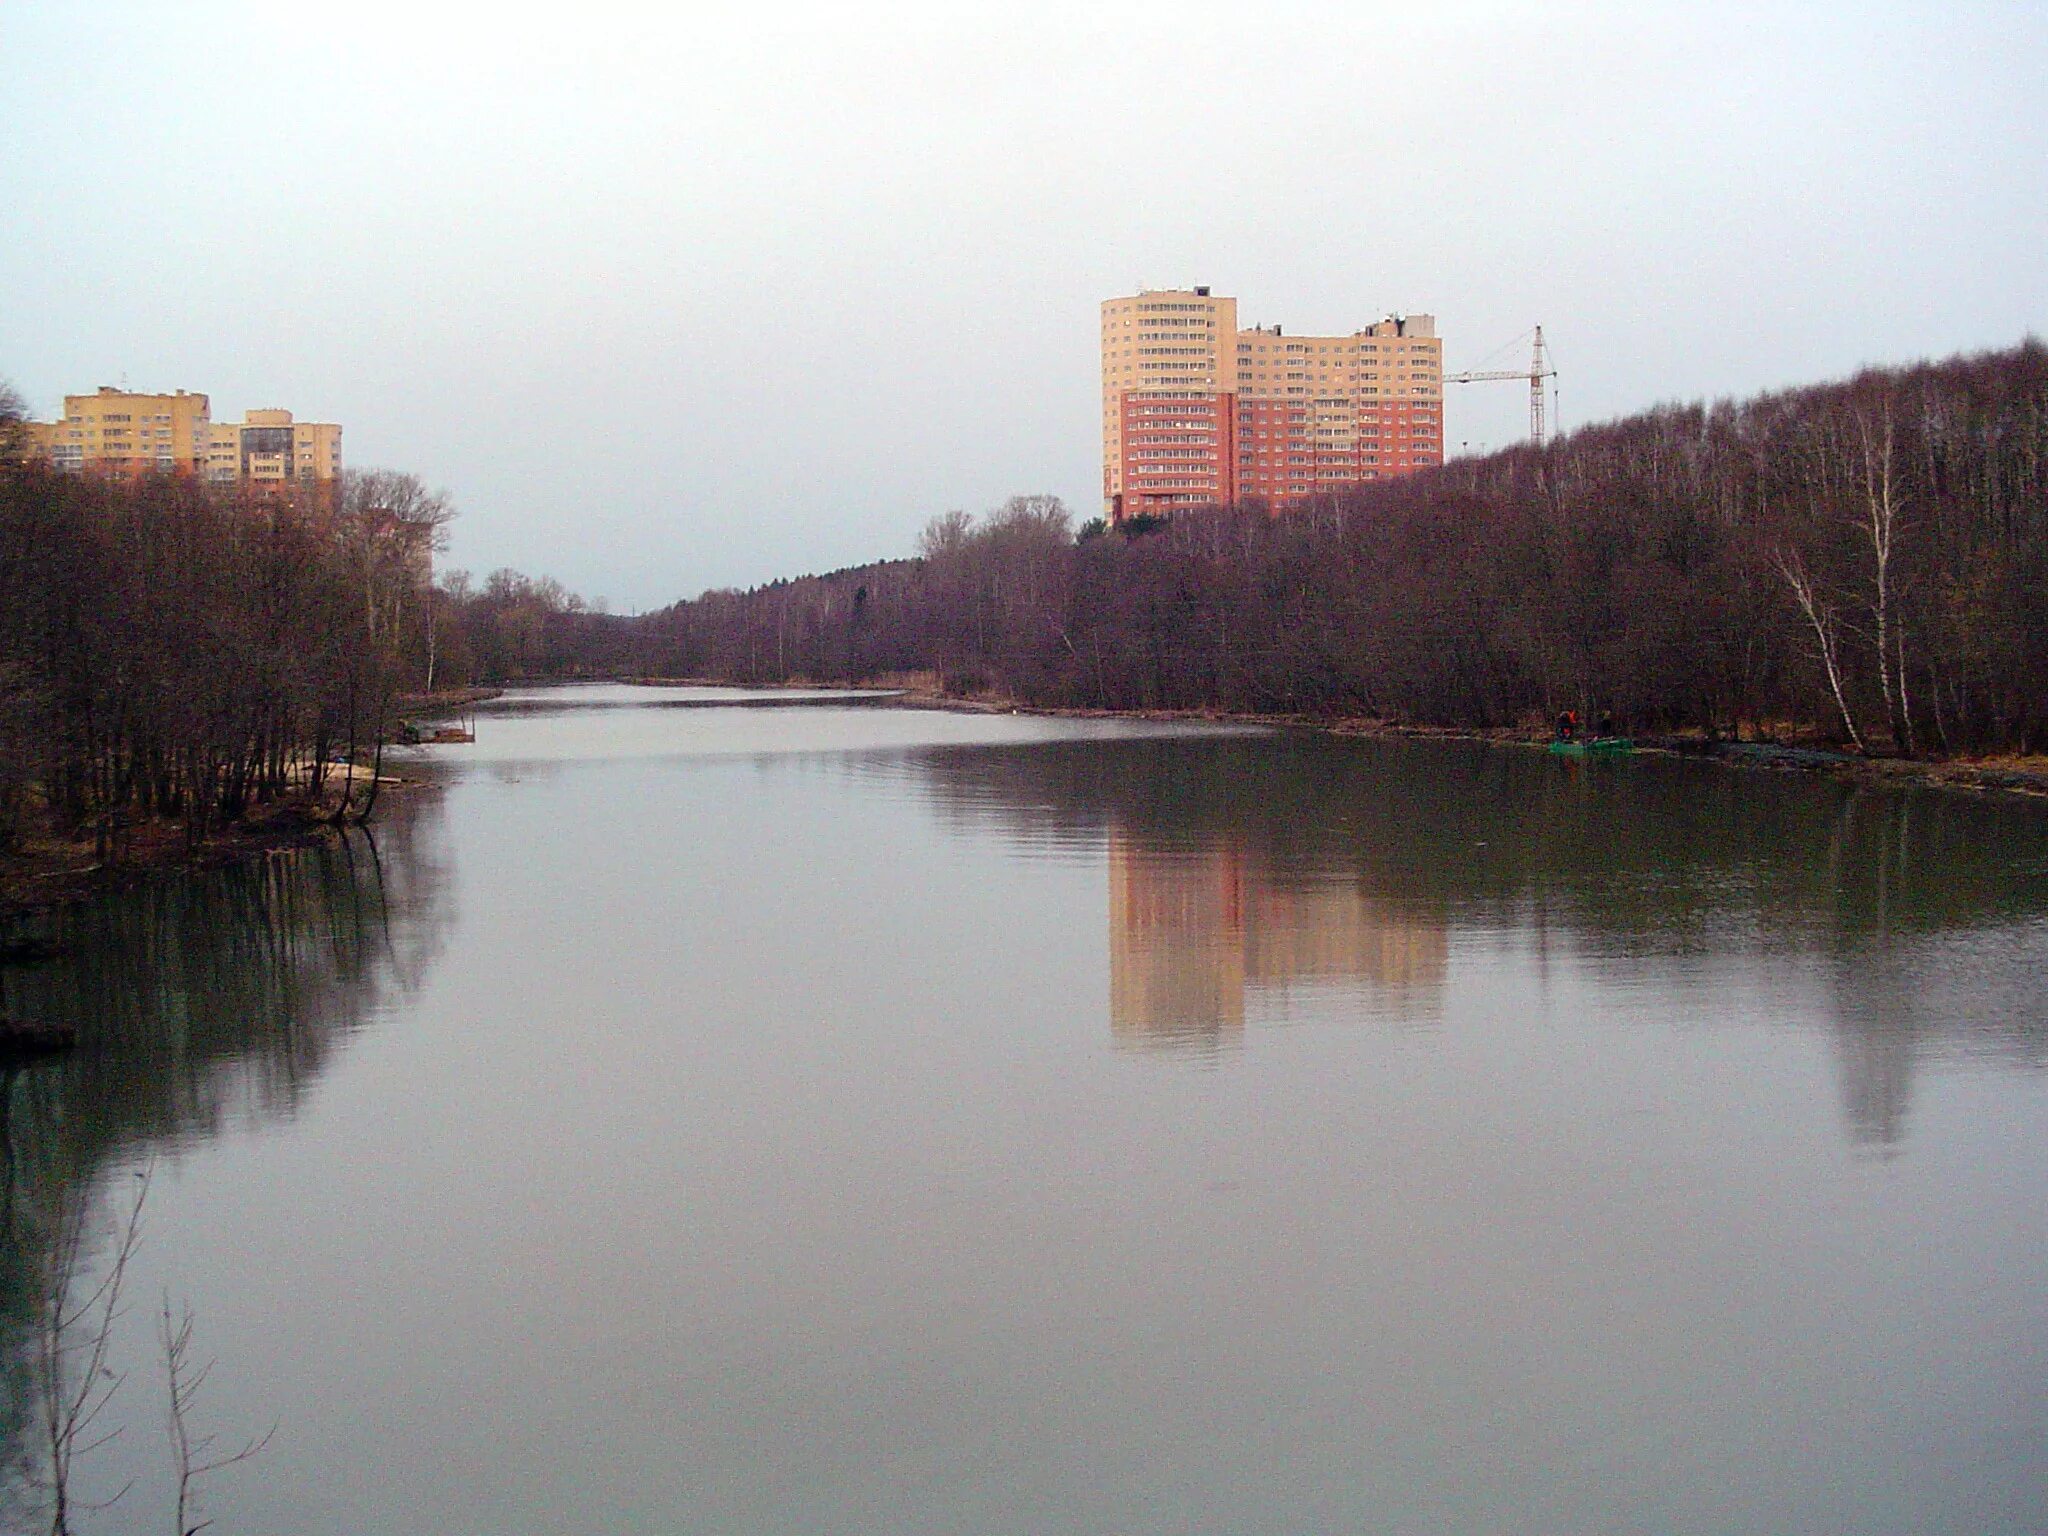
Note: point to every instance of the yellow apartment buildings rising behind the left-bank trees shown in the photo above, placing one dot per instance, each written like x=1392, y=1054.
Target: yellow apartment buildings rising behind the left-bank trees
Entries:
x=122, y=433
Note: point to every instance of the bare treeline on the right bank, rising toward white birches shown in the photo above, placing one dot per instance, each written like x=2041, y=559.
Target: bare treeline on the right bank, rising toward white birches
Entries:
x=1865, y=560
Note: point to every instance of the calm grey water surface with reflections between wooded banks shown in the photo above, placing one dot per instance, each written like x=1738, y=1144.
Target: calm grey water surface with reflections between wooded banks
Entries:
x=708, y=1117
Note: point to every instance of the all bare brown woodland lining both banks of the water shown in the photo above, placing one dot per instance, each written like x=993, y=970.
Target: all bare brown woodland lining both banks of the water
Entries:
x=1846, y=579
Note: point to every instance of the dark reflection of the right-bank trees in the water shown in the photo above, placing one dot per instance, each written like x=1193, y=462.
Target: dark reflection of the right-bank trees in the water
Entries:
x=1641, y=859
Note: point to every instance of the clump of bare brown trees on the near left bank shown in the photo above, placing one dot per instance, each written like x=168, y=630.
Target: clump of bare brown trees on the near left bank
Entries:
x=187, y=652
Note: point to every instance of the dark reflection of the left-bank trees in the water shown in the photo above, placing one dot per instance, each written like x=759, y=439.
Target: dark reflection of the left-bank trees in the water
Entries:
x=202, y=1000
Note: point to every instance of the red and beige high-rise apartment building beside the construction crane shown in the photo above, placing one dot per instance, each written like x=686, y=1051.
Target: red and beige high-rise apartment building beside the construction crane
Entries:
x=1197, y=411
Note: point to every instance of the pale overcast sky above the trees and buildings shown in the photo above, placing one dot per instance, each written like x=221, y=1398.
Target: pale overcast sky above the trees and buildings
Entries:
x=677, y=298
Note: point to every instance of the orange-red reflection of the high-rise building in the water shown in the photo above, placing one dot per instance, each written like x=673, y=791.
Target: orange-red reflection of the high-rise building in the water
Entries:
x=1193, y=931
